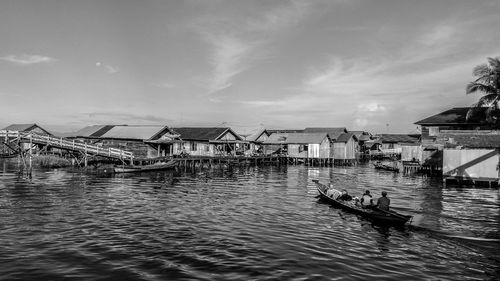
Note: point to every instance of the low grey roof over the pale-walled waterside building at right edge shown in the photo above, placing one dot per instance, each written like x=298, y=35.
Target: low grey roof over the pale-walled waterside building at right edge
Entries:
x=473, y=140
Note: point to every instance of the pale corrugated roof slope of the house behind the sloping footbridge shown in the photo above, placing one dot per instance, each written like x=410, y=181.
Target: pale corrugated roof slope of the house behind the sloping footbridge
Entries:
x=133, y=132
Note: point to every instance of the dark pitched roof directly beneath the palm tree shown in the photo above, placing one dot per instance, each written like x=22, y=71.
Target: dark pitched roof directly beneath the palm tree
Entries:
x=454, y=116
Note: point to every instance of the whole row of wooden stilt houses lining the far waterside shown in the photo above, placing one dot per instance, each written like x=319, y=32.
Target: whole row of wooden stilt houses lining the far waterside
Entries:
x=448, y=144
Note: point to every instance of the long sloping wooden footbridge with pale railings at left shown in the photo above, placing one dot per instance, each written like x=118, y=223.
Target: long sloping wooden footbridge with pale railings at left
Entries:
x=65, y=144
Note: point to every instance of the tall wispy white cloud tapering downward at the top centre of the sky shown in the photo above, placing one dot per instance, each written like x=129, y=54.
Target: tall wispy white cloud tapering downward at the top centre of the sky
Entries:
x=237, y=43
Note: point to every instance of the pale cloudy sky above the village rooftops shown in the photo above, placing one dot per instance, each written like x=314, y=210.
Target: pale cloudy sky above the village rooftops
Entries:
x=374, y=65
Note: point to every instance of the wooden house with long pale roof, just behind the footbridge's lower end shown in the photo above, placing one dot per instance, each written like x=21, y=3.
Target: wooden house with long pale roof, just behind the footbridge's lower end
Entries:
x=143, y=141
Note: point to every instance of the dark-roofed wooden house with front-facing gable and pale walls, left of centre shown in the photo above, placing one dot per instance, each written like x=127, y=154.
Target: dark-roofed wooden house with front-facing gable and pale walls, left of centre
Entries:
x=208, y=141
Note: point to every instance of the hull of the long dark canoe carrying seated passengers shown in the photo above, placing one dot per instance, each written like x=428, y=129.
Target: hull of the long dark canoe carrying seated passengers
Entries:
x=375, y=214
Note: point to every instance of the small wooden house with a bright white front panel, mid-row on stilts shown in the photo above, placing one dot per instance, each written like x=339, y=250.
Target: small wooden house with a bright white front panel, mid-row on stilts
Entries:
x=308, y=145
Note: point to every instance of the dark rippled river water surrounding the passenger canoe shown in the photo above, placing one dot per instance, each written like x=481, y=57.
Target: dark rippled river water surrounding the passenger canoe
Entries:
x=253, y=223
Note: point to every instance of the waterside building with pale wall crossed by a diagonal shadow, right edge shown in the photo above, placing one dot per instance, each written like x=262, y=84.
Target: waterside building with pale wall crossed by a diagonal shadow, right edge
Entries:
x=472, y=157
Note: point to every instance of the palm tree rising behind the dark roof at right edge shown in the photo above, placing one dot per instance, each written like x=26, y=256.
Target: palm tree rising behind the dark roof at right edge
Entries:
x=487, y=83
